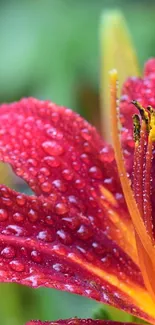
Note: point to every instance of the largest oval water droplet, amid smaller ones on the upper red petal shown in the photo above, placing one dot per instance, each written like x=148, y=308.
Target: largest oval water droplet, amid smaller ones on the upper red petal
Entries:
x=52, y=148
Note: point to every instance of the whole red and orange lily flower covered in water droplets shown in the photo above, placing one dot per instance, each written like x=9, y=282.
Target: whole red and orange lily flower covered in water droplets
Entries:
x=77, y=233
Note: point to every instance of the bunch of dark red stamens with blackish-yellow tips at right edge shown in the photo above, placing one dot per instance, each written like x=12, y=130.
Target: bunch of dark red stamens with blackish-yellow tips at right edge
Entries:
x=142, y=166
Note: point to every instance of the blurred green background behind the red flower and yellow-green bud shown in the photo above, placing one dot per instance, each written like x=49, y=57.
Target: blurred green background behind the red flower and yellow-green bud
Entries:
x=50, y=49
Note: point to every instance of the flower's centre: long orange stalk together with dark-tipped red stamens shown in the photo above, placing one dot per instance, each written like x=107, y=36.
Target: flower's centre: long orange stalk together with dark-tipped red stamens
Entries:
x=138, y=197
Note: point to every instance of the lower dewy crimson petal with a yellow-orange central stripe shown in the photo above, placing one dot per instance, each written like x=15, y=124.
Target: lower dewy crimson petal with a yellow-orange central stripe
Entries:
x=40, y=248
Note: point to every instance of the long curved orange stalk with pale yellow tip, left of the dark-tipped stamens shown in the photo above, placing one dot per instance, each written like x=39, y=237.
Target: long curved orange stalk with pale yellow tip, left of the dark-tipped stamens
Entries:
x=128, y=194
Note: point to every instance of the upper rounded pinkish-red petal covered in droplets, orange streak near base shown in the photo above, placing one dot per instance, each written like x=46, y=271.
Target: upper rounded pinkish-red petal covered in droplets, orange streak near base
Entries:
x=62, y=157
